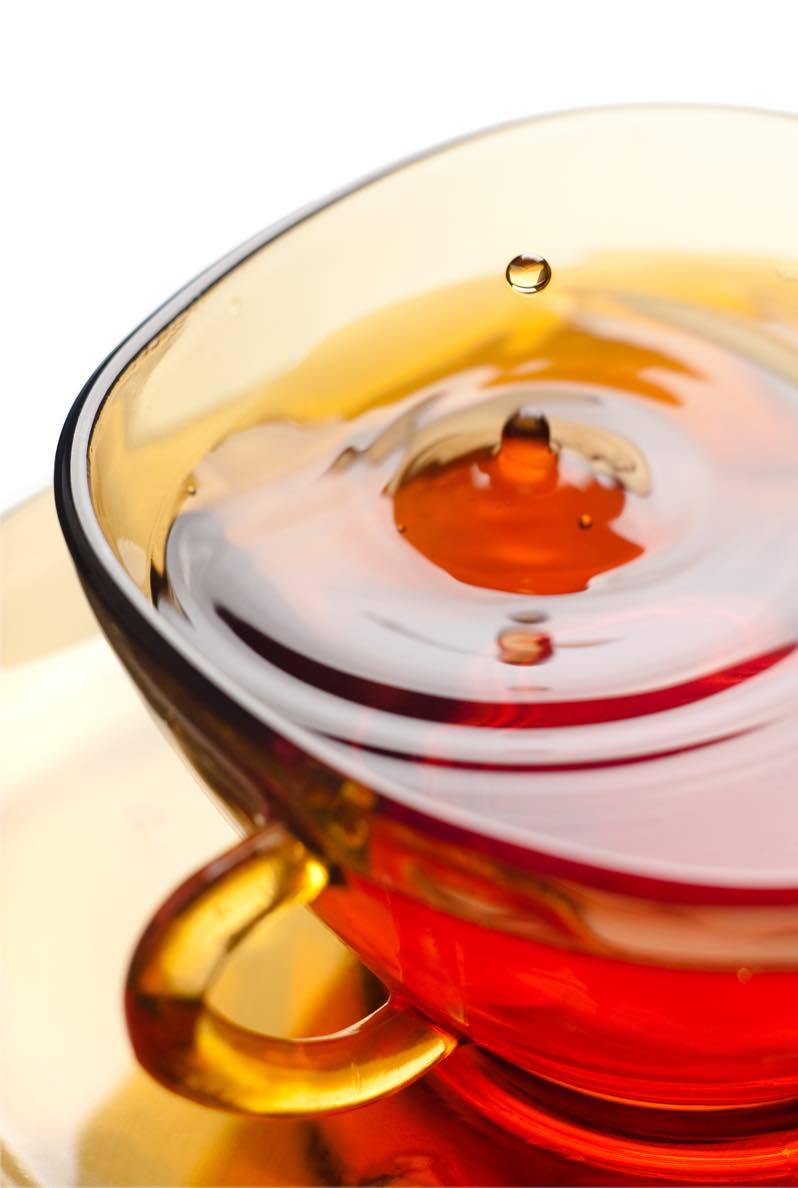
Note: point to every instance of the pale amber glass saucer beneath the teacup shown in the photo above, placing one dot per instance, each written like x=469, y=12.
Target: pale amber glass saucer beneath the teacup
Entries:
x=91, y=845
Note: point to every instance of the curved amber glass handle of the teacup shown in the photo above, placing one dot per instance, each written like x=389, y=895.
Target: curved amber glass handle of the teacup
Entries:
x=198, y=1052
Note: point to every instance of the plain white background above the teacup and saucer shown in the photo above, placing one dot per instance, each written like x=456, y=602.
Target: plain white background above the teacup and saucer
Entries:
x=143, y=141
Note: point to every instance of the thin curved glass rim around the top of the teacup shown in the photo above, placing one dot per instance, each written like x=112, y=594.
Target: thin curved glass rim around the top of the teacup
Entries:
x=105, y=574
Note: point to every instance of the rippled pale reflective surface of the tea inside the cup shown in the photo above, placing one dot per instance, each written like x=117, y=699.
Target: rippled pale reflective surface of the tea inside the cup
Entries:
x=552, y=592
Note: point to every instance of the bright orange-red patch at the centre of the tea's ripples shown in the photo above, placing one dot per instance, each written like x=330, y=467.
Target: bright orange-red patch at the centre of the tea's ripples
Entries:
x=512, y=522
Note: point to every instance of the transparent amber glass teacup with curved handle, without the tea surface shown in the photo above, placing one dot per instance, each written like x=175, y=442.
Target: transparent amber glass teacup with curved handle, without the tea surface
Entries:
x=603, y=1001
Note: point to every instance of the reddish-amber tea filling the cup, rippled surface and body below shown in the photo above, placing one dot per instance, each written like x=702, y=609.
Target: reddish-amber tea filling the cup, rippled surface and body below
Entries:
x=546, y=590
